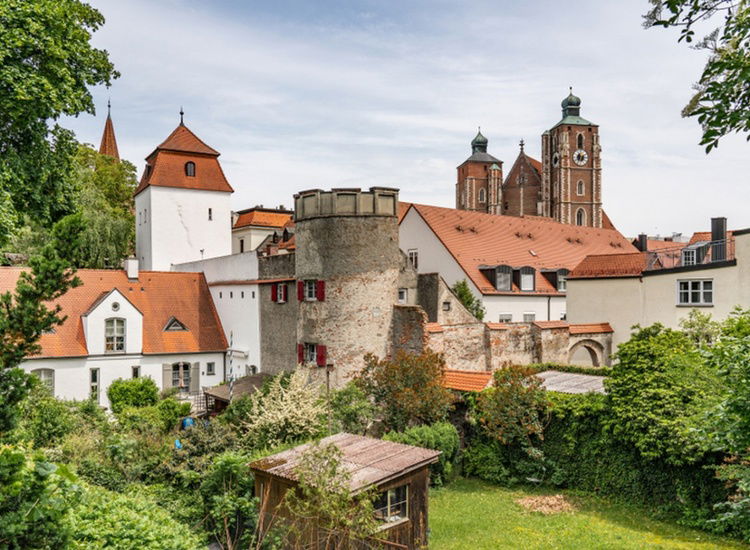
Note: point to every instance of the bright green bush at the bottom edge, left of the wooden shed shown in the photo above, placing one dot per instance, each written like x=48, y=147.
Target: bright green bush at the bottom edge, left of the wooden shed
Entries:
x=110, y=520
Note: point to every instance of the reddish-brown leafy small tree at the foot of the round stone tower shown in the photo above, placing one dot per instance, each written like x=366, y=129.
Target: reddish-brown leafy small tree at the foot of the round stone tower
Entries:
x=407, y=390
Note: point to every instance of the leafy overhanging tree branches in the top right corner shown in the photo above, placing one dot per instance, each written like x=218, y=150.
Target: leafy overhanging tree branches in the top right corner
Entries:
x=722, y=99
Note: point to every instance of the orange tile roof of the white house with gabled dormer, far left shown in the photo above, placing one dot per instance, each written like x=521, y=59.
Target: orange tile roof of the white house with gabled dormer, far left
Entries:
x=158, y=295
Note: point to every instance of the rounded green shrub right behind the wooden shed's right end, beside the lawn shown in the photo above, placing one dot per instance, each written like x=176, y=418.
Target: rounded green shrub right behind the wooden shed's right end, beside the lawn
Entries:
x=441, y=436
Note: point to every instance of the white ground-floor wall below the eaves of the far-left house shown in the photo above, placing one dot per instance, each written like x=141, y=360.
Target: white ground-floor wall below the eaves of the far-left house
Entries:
x=72, y=375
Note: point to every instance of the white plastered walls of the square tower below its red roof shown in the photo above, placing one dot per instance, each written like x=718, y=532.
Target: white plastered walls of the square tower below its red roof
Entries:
x=177, y=228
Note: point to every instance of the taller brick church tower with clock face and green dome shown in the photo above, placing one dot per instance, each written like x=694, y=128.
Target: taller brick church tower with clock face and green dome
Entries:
x=571, y=168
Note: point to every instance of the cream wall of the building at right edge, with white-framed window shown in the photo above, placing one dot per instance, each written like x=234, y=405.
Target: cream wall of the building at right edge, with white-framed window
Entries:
x=652, y=298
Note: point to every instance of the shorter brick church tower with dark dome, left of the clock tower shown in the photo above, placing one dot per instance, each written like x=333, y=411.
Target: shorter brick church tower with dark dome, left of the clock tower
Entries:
x=480, y=179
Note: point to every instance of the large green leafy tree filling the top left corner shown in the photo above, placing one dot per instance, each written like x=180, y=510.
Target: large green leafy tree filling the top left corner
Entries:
x=47, y=64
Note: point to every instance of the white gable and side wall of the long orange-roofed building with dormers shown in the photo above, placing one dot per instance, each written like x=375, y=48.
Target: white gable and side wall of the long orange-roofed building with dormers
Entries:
x=414, y=233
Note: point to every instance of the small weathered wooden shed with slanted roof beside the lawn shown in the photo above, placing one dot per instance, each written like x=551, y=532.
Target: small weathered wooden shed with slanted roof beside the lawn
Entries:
x=399, y=473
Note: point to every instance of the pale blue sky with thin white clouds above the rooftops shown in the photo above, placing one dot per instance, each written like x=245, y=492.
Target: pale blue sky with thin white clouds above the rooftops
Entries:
x=299, y=95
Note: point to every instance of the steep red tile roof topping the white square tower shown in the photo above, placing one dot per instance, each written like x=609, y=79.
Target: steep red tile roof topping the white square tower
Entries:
x=165, y=166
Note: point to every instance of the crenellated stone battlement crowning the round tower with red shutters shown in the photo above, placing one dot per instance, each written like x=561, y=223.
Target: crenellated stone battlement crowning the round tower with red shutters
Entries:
x=351, y=201
